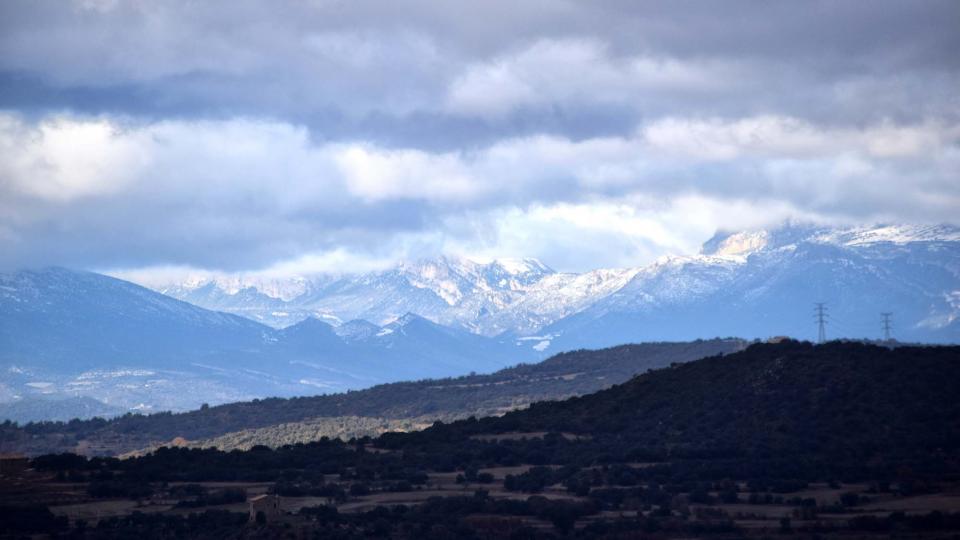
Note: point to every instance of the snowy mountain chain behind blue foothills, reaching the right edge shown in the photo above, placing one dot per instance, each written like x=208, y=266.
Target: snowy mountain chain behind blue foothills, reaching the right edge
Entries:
x=751, y=283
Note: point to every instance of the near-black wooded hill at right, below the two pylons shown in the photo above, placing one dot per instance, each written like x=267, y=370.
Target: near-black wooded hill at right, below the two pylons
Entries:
x=842, y=404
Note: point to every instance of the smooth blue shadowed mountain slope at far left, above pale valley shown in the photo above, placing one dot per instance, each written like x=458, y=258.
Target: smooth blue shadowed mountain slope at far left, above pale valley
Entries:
x=64, y=319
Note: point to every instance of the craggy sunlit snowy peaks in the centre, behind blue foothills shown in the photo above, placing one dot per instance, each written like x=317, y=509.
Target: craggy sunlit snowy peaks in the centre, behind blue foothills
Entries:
x=448, y=290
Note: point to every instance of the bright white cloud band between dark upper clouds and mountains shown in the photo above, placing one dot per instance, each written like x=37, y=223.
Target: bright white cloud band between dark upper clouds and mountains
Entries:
x=270, y=197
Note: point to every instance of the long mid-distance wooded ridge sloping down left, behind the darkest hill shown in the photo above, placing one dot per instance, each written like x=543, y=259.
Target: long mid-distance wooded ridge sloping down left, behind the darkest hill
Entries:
x=561, y=376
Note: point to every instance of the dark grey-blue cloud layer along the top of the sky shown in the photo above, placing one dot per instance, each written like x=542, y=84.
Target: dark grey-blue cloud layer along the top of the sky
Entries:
x=367, y=67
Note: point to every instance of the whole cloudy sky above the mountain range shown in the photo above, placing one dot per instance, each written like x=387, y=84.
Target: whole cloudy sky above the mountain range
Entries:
x=316, y=136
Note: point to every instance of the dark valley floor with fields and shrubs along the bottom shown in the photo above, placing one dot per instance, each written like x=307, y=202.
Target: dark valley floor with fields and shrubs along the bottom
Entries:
x=215, y=509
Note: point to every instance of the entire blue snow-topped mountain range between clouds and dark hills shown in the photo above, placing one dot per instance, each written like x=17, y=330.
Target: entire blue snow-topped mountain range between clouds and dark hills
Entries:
x=66, y=333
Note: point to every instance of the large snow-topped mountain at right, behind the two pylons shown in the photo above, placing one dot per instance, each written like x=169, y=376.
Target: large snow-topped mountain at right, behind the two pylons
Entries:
x=764, y=283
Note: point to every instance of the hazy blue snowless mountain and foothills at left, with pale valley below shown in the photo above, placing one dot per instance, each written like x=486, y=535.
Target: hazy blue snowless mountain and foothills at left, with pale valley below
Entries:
x=65, y=333
